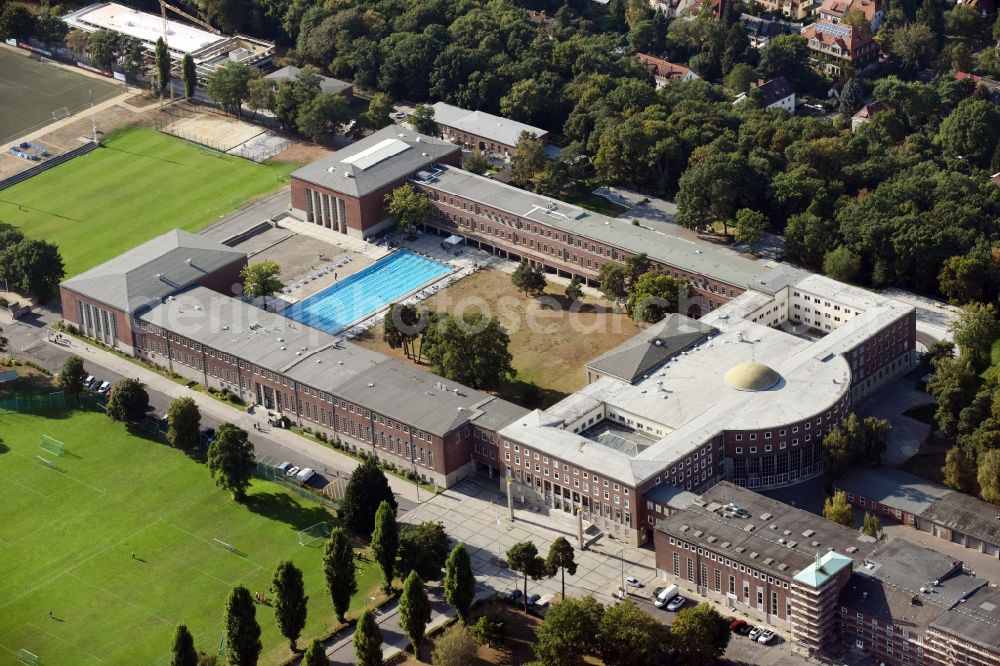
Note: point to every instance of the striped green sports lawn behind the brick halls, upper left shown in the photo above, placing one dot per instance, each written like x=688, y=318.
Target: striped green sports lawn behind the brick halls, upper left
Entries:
x=140, y=185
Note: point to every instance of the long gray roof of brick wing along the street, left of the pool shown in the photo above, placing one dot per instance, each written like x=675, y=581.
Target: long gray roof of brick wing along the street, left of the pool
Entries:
x=323, y=362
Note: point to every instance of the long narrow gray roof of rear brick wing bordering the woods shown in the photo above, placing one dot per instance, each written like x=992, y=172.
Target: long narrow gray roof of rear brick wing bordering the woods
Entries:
x=694, y=258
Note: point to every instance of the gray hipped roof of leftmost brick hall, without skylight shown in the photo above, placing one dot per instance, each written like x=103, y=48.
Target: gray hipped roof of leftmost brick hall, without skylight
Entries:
x=157, y=268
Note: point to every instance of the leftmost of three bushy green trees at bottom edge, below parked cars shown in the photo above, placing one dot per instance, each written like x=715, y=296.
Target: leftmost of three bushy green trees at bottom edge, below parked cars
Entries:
x=569, y=632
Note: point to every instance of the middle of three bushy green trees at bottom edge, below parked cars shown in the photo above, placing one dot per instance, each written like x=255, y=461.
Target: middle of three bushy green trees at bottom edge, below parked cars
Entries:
x=629, y=636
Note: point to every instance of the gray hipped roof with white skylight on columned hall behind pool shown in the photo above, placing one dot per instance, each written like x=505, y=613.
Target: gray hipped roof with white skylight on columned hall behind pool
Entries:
x=378, y=160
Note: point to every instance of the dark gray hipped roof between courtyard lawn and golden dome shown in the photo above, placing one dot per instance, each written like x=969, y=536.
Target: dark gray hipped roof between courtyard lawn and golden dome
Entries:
x=642, y=353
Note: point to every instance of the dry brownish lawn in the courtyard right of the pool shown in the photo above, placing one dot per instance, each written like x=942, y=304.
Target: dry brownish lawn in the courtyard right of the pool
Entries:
x=550, y=344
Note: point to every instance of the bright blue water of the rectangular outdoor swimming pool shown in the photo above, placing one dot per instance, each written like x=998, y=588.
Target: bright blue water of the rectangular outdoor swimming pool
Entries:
x=363, y=293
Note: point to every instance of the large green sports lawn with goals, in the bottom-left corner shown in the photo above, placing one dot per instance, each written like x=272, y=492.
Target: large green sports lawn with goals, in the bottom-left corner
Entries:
x=118, y=545
